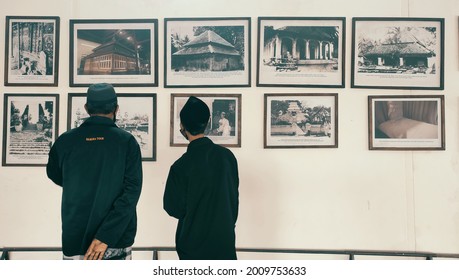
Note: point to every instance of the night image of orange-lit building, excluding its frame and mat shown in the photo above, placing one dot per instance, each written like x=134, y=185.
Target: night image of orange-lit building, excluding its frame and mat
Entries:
x=114, y=52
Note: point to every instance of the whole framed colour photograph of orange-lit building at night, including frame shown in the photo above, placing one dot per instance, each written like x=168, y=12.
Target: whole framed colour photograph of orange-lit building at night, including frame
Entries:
x=122, y=52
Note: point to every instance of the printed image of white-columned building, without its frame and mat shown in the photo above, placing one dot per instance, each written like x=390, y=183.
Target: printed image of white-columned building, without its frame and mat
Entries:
x=301, y=48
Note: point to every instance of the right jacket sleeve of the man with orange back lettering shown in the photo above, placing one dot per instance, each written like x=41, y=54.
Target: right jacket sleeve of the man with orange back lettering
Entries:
x=124, y=207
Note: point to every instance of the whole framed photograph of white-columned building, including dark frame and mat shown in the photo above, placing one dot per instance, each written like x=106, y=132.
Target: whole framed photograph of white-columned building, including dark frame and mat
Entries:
x=301, y=52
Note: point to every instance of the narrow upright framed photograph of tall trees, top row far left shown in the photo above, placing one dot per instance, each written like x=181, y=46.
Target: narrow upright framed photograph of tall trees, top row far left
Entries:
x=31, y=51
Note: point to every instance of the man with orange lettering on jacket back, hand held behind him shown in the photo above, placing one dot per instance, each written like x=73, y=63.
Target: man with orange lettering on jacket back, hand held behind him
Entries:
x=99, y=167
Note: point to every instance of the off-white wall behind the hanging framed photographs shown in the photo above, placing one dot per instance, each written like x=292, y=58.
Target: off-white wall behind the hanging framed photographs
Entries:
x=344, y=198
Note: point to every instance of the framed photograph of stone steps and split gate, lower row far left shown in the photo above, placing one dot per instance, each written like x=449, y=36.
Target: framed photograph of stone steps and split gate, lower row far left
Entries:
x=30, y=127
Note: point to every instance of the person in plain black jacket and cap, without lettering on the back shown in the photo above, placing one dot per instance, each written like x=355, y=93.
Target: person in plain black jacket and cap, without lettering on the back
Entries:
x=202, y=191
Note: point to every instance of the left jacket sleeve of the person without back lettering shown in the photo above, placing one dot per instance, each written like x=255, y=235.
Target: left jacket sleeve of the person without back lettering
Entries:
x=174, y=202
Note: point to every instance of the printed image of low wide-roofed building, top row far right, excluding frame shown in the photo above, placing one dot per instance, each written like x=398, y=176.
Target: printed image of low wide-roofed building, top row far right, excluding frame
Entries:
x=407, y=50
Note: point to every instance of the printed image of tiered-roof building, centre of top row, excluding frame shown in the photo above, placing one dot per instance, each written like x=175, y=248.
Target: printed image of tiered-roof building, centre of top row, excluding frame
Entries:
x=207, y=50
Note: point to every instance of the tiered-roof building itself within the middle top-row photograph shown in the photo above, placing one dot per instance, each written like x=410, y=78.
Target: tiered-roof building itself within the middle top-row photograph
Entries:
x=207, y=52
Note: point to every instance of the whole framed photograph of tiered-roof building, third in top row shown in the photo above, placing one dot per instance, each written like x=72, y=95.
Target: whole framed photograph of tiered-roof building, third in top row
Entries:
x=207, y=52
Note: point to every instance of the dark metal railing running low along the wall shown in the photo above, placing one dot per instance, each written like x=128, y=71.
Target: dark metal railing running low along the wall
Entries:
x=350, y=253
